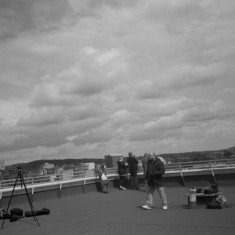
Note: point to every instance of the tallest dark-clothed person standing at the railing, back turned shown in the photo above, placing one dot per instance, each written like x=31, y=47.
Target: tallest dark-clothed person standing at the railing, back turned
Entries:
x=133, y=168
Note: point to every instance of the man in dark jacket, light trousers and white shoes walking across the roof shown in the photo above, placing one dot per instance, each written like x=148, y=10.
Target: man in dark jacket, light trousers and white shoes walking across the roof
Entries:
x=154, y=173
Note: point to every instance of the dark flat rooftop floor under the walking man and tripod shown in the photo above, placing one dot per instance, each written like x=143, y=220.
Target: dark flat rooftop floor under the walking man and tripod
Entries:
x=120, y=212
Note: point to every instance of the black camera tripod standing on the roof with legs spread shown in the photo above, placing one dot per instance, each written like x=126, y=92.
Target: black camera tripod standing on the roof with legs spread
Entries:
x=22, y=183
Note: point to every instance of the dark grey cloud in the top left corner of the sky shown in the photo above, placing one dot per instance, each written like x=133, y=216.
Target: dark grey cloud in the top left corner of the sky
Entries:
x=19, y=16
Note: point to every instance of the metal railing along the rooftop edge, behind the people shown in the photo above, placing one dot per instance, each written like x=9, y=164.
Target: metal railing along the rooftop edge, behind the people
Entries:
x=173, y=167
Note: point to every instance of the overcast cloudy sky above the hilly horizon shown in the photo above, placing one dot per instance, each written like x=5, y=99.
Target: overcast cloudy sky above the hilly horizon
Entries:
x=85, y=78
